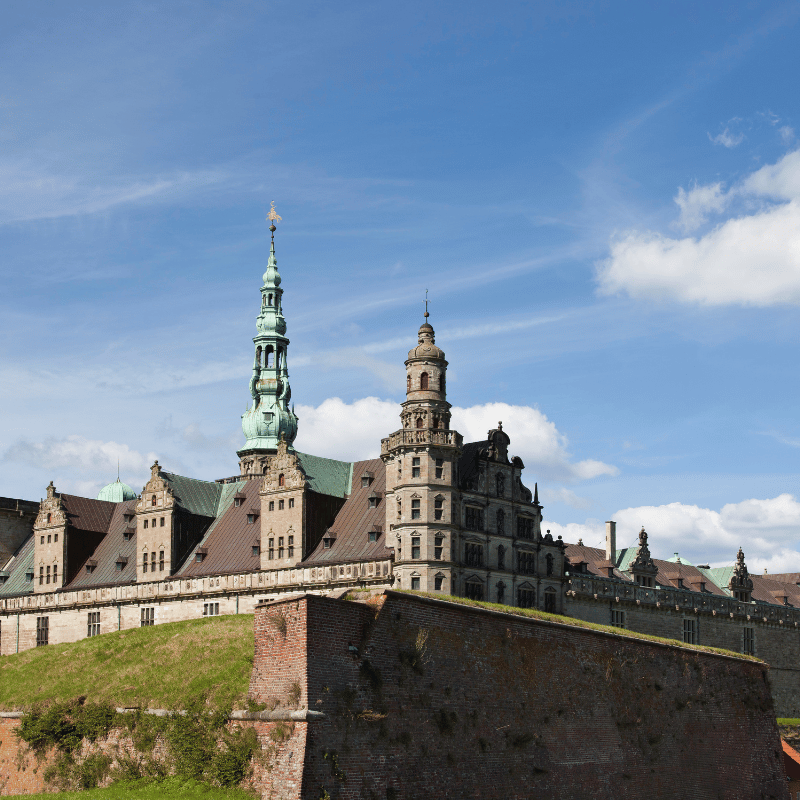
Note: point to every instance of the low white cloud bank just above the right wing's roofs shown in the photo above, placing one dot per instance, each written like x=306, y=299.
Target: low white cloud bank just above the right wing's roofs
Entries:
x=767, y=530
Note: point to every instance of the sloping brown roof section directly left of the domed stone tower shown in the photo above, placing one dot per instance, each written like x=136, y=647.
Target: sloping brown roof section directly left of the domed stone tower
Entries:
x=355, y=519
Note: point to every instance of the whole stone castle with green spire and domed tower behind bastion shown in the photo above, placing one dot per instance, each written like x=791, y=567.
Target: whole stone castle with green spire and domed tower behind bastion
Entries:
x=429, y=512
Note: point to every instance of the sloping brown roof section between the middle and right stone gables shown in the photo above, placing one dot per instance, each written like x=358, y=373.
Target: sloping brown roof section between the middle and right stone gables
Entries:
x=230, y=539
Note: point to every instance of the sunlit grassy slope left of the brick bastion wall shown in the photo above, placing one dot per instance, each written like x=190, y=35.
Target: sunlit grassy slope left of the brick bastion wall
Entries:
x=163, y=666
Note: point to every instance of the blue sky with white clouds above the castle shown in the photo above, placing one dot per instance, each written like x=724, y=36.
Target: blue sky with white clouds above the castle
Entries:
x=603, y=200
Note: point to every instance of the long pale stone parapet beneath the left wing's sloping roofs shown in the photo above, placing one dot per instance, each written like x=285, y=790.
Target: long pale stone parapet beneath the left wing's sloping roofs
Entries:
x=289, y=579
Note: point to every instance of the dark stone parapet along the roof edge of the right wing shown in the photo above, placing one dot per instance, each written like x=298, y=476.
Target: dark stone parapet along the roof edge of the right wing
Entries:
x=597, y=588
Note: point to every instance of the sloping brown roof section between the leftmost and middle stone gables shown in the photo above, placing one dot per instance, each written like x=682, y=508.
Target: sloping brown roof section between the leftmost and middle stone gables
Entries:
x=112, y=548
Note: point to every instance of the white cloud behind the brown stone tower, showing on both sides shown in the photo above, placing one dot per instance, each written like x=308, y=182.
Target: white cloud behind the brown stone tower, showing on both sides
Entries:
x=353, y=430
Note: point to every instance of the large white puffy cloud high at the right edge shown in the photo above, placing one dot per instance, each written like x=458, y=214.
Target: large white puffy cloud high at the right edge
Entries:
x=751, y=259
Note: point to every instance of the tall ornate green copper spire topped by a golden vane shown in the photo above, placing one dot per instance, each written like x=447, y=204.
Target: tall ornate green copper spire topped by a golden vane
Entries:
x=268, y=418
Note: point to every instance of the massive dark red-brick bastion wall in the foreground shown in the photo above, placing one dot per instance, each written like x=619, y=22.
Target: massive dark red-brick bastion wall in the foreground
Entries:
x=424, y=698
